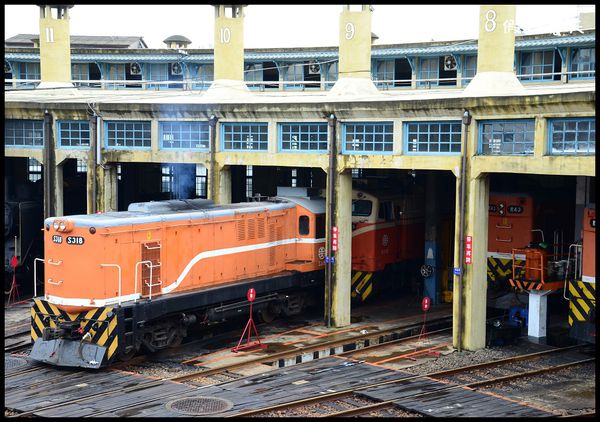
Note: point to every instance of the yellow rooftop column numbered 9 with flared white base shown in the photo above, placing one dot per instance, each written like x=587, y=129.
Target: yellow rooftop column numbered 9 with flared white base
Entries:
x=354, y=71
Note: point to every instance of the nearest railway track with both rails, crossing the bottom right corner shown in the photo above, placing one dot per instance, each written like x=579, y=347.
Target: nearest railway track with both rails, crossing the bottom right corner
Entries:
x=318, y=405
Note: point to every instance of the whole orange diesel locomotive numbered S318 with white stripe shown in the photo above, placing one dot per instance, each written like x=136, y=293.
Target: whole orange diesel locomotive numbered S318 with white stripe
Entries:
x=121, y=281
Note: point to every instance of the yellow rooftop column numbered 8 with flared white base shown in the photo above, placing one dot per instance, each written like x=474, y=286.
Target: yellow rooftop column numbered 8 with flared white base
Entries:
x=495, y=52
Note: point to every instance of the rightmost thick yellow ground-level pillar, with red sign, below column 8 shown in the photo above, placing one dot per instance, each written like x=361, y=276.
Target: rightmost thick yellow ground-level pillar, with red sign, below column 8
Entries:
x=474, y=288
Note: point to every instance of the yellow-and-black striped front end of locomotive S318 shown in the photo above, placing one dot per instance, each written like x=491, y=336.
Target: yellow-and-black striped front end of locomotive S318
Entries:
x=100, y=323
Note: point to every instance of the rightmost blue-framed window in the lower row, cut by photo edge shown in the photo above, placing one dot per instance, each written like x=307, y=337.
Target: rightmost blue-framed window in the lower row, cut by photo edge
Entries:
x=573, y=136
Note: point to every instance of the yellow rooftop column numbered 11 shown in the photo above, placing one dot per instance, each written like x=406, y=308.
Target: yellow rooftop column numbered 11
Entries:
x=55, y=46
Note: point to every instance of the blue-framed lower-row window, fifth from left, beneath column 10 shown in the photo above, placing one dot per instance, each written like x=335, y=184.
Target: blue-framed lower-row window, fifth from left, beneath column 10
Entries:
x=244, y=136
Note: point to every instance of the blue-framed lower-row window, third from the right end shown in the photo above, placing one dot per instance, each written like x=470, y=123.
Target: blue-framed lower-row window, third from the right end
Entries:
x=432, y=137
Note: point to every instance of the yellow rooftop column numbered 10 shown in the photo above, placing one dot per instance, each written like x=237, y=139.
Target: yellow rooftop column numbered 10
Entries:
x=229, y=43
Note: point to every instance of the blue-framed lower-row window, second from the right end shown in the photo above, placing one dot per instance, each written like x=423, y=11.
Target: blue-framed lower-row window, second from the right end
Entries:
x=509, y=137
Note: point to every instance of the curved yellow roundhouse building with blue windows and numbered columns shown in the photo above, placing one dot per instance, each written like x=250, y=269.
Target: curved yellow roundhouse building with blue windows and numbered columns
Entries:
x=101, y=122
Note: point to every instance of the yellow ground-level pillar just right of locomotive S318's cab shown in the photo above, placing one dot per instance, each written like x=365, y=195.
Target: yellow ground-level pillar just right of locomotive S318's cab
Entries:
x=342, y=268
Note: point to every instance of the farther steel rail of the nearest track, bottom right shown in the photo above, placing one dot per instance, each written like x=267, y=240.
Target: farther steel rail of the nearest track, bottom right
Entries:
x=351, y=391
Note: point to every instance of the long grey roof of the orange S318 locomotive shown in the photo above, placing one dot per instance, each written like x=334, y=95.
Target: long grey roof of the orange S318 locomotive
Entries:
x=125, y=218
